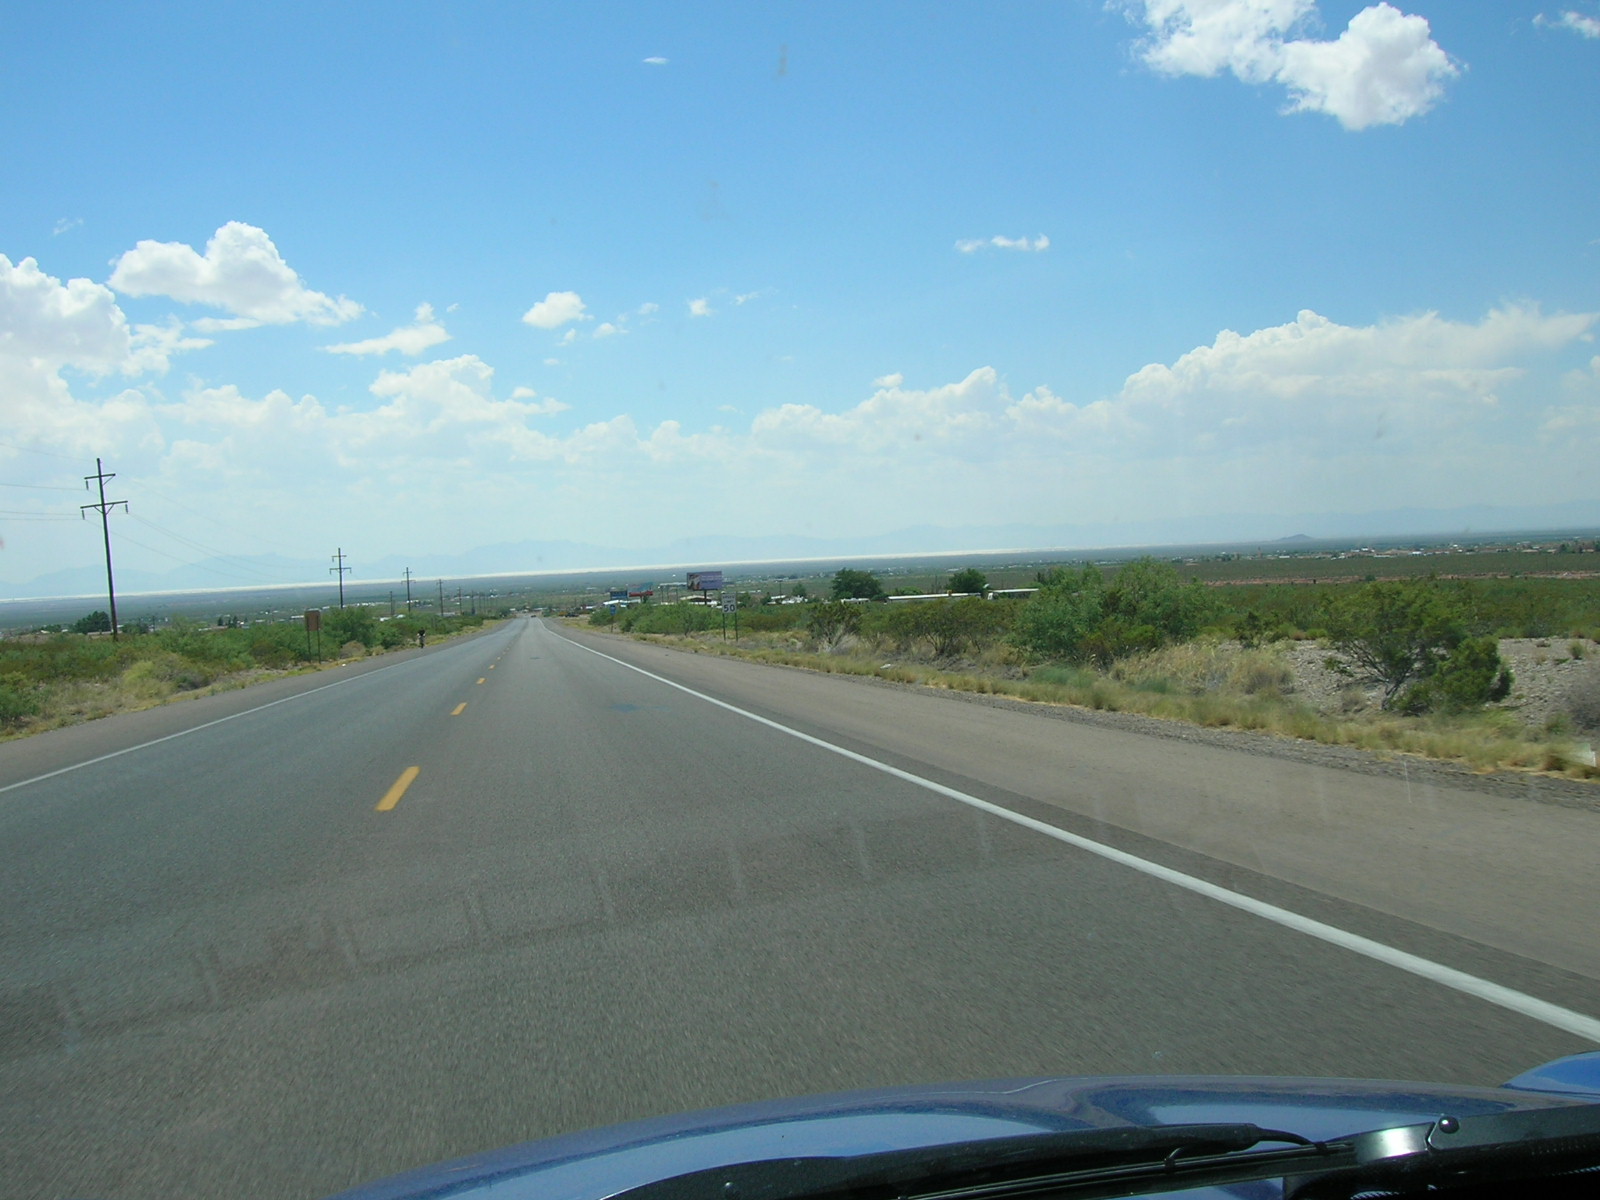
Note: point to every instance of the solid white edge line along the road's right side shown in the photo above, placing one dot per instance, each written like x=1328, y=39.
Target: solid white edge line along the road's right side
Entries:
x=1495, y=994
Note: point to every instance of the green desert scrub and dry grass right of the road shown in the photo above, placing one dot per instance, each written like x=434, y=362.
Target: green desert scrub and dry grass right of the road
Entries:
x=1146, y=642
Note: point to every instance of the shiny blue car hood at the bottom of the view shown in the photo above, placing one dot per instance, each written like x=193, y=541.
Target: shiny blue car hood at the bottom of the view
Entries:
x=602, y=1162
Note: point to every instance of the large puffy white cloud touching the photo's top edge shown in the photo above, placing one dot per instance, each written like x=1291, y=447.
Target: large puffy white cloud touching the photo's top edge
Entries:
x=1383, y=70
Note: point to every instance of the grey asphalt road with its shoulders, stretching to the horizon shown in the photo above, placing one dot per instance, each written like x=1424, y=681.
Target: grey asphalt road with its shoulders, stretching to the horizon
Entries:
x=287, y=940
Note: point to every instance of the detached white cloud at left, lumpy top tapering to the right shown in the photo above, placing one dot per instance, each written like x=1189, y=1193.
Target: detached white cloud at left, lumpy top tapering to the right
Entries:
x=241, y=273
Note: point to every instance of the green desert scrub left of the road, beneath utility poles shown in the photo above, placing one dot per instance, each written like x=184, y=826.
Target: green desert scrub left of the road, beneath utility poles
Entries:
x=50, y=679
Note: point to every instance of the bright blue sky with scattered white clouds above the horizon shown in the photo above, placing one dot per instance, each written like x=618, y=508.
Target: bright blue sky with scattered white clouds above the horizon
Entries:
x=409, y=279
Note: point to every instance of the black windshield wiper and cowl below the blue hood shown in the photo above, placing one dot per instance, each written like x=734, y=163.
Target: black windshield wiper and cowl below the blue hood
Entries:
x=1442, y=1154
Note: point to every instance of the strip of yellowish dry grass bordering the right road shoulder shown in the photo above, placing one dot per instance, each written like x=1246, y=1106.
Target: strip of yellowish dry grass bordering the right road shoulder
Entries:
x=1209, y=684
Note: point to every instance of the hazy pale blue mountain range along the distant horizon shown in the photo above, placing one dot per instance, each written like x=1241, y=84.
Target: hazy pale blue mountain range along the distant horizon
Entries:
x=529, y=558
